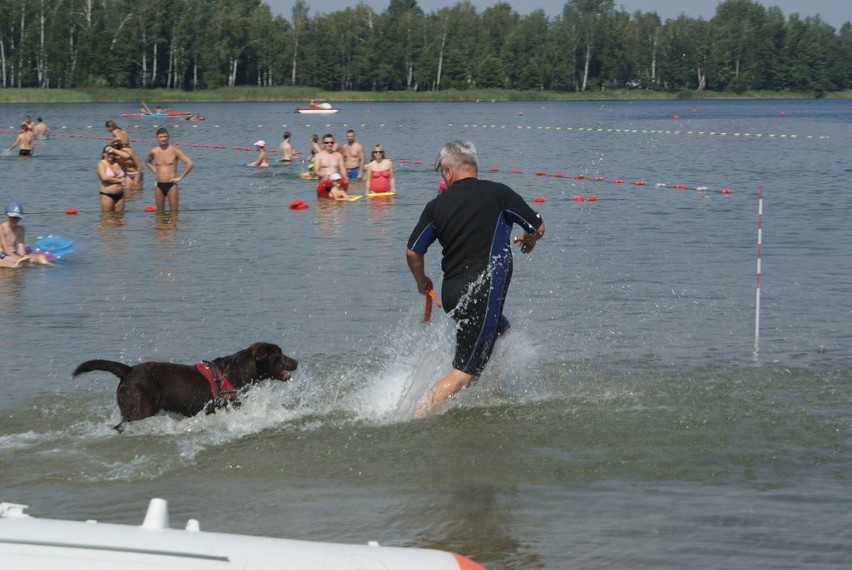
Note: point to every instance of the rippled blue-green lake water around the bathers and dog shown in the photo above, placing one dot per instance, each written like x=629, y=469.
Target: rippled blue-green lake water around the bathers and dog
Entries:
x=626, y=422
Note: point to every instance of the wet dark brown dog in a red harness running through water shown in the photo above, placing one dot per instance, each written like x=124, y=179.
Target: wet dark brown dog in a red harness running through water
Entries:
x=147, y=388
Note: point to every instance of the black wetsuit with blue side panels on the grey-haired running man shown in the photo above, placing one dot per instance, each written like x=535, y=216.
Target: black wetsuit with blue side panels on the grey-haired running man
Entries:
x=473, y=220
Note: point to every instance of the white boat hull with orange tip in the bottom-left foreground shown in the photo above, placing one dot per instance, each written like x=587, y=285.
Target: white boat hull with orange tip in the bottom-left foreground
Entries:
x=27, y=542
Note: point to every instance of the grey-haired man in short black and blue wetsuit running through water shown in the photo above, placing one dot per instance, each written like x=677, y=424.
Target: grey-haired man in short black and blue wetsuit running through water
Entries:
x=472, y=219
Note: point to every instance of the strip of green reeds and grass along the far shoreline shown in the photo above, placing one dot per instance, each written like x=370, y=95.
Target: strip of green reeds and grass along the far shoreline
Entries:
x=302, y=94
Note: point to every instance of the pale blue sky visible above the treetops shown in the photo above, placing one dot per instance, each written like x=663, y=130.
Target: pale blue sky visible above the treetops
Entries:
x=832, y=12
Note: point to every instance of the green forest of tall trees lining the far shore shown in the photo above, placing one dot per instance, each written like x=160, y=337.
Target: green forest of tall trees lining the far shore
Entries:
x=591, y=46
